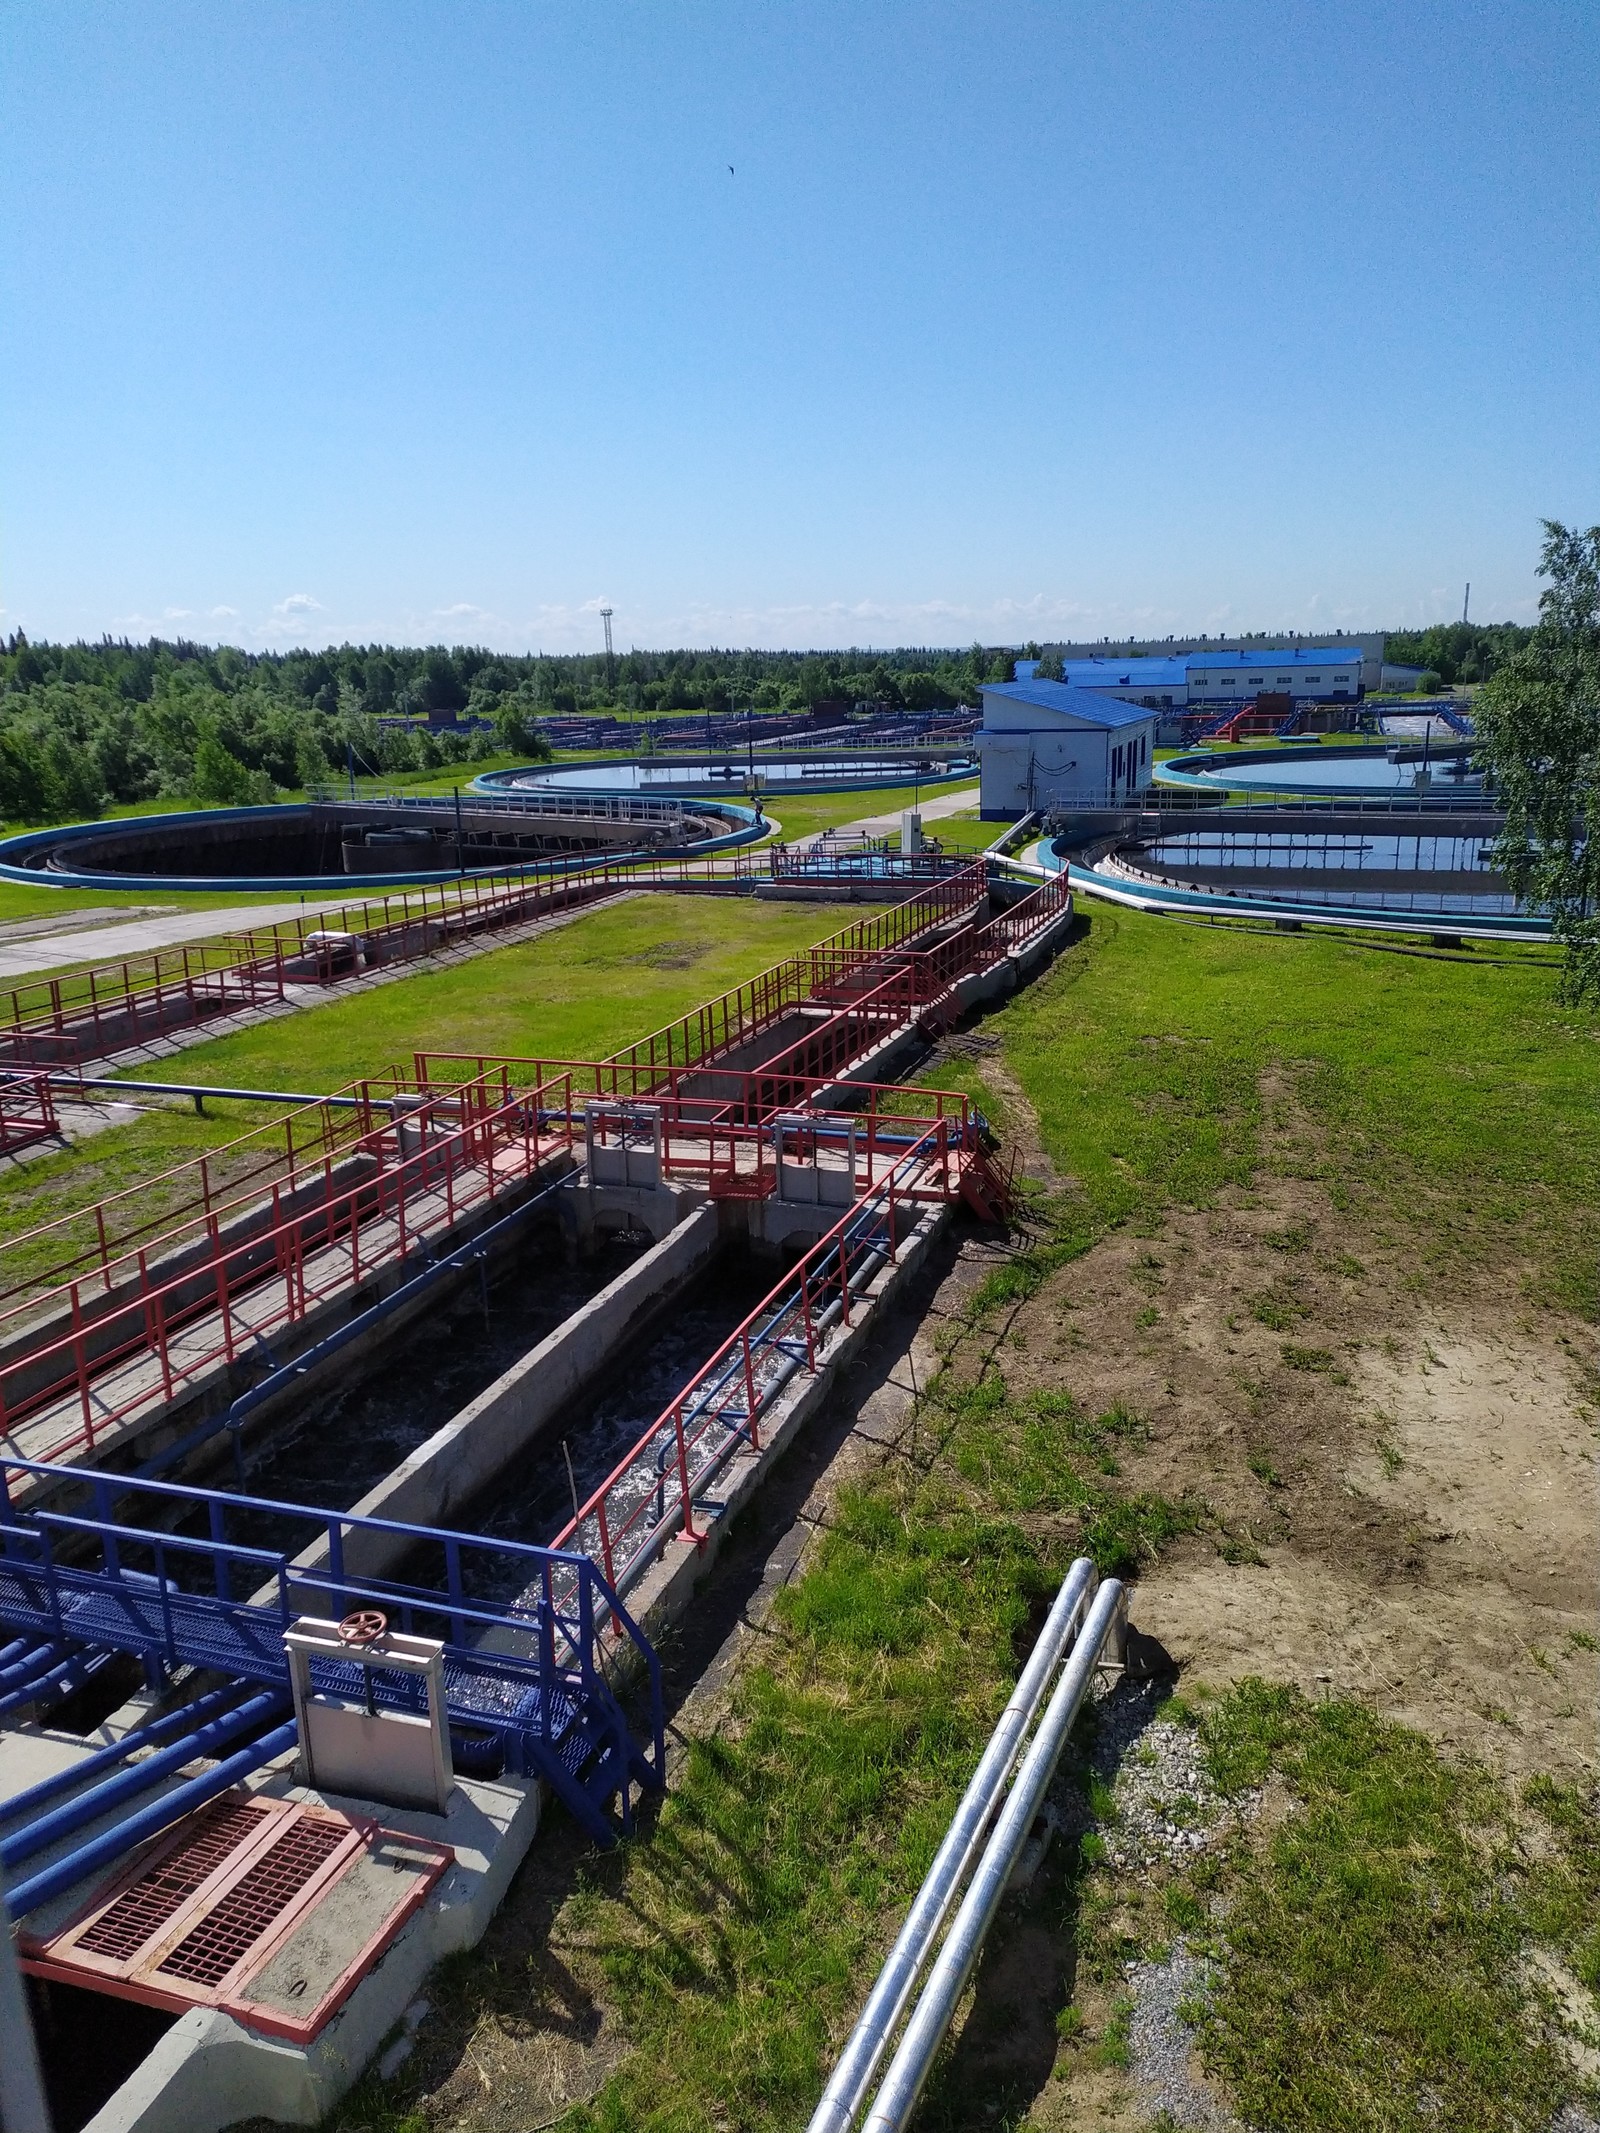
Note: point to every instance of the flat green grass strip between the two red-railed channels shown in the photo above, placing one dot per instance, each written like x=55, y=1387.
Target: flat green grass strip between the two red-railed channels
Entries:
x=579, y=993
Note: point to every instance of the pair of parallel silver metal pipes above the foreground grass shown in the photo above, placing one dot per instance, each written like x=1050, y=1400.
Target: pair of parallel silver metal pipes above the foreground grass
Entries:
x=1081, y=1624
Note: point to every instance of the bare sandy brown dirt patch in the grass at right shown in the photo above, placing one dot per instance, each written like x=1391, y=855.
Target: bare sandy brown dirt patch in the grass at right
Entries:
x=1403, y=1494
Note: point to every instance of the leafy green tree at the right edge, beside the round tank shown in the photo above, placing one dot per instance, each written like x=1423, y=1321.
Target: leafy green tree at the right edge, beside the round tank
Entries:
x=1539, y=741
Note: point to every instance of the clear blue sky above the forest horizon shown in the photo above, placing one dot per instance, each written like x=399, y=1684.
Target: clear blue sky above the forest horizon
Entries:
x=449, y=321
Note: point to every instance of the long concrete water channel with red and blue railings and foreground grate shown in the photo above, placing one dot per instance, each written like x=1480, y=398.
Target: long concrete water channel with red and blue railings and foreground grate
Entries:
x=295, y=1652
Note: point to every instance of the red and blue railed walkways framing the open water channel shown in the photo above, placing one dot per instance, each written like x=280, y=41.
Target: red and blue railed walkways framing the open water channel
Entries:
x=144, y=1334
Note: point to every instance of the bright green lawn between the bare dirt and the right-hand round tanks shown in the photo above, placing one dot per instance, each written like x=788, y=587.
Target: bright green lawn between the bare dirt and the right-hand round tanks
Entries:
x=1452, y=1097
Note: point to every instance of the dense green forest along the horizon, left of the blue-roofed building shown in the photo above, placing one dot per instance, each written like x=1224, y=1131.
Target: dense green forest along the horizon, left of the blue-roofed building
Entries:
x=84, y=726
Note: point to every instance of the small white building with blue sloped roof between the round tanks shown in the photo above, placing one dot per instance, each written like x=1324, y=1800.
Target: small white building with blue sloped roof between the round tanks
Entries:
x=1049, y=745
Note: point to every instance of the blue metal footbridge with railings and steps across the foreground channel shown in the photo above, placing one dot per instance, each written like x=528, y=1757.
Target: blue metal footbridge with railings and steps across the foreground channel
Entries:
x=125, y=1569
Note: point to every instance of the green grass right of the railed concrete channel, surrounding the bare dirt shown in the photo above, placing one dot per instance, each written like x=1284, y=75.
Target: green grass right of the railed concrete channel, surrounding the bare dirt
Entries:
x=1373, y=1978
